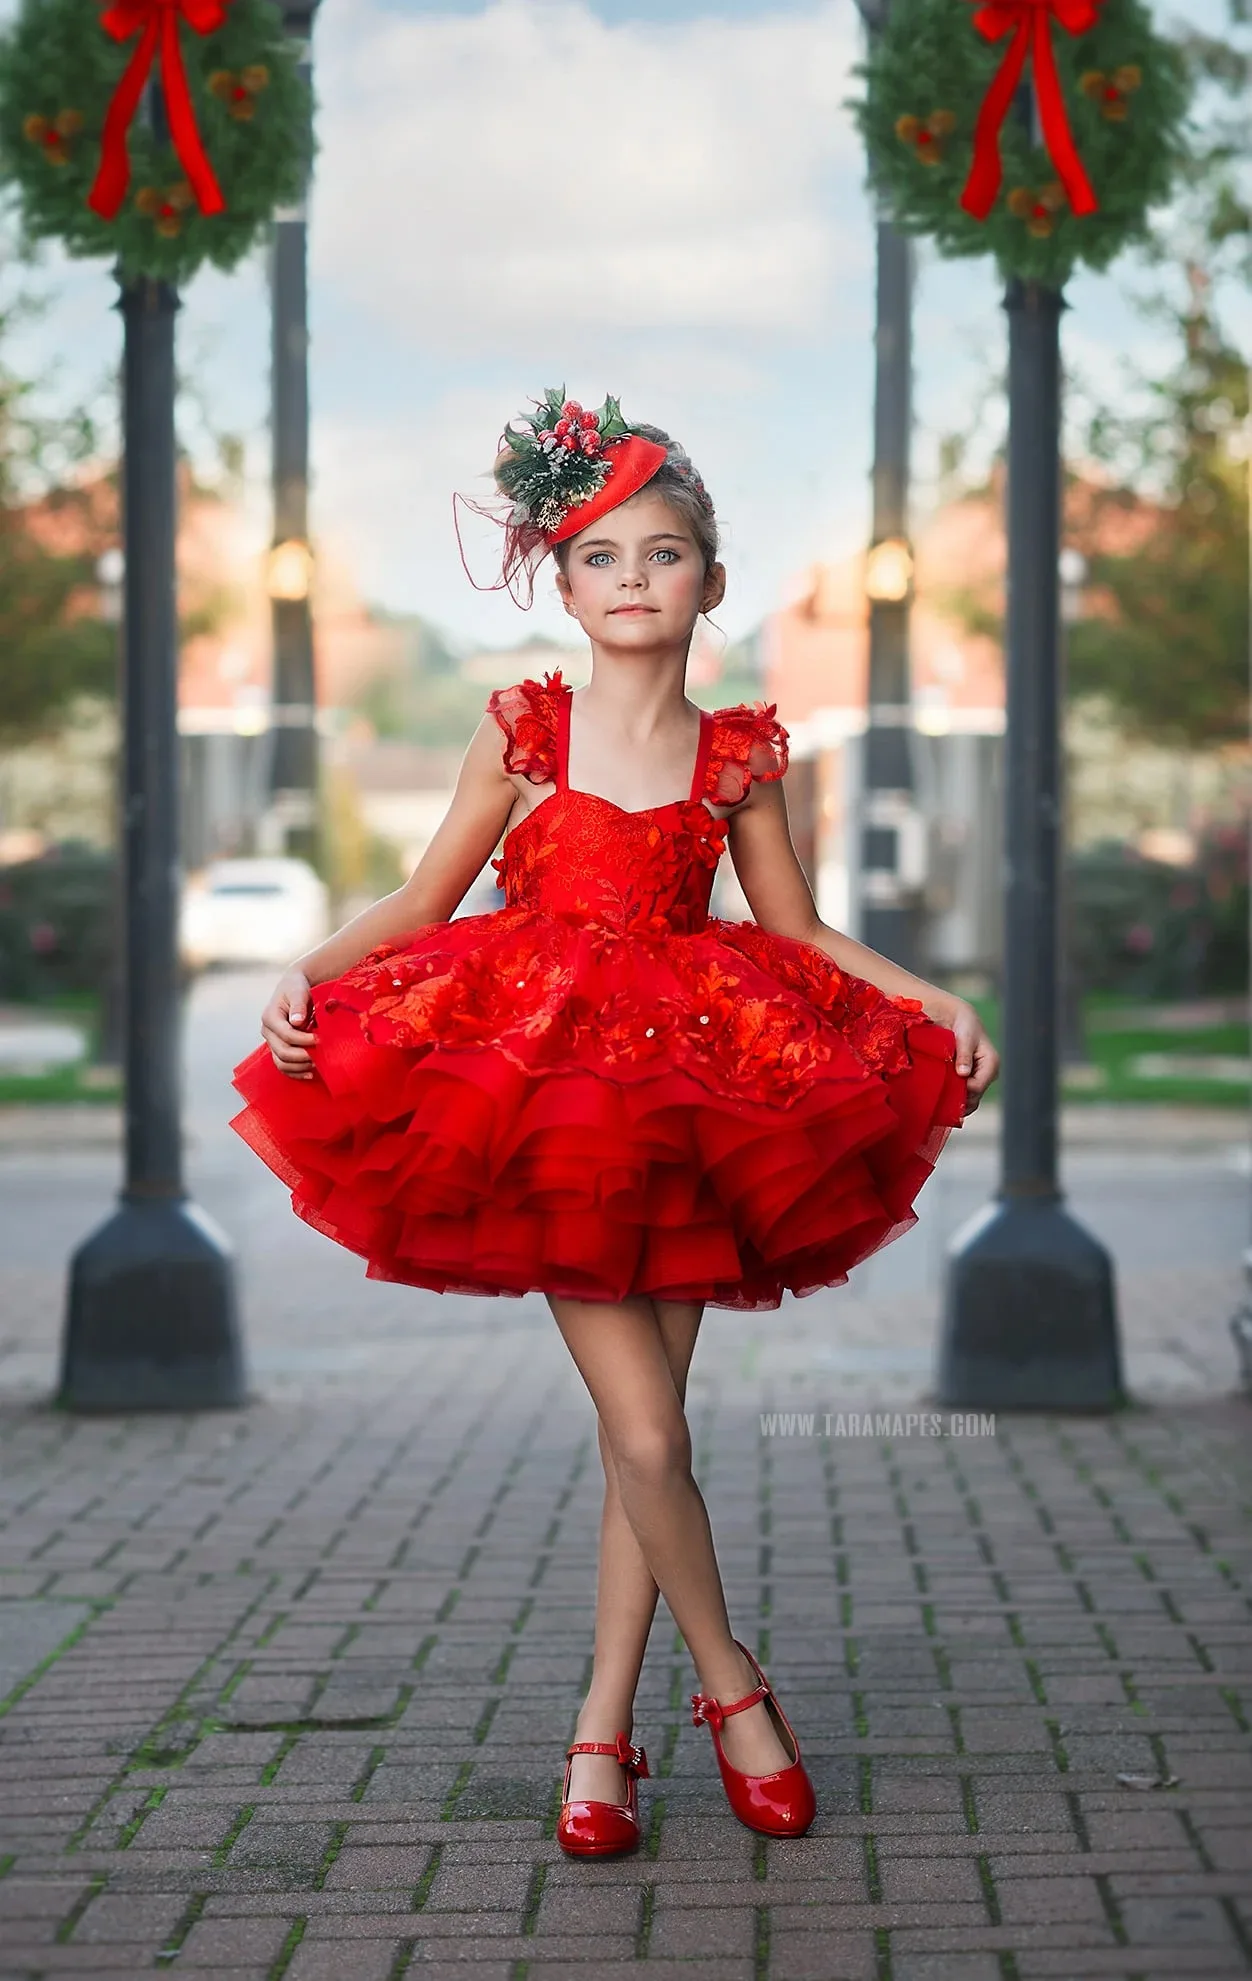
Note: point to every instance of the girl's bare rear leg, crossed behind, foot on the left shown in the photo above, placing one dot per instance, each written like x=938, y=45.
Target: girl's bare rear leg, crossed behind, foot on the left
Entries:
x=625, y=1590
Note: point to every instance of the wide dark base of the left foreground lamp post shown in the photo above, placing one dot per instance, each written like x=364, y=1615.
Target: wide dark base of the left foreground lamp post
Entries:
x=154, y=1318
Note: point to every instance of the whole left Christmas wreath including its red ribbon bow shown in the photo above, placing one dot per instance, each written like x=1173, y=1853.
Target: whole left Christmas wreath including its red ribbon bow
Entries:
x=161, y=197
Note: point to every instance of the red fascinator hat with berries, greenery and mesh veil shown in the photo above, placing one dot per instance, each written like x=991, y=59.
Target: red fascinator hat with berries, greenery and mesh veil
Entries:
x=560, y=470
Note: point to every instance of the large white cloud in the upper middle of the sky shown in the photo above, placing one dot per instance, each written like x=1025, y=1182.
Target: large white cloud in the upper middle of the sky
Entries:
x=530, y=171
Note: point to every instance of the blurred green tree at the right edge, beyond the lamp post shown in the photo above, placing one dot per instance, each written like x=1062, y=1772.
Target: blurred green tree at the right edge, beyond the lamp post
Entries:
x=1168, y=643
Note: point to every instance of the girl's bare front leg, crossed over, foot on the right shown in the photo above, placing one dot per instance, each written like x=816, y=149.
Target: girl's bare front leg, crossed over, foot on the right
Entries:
x=623, y=1360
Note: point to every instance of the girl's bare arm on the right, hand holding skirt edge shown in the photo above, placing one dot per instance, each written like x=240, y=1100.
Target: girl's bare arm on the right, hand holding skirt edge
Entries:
x=782, y=902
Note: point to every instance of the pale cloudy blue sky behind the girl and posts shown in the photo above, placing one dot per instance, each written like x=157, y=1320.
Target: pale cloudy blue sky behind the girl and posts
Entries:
x=659, y=199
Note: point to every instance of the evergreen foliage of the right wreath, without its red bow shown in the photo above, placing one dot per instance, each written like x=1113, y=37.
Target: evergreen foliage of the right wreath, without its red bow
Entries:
x=1126, y=98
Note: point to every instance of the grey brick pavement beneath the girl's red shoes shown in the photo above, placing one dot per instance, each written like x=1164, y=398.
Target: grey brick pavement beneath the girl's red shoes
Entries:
x=306, y=1673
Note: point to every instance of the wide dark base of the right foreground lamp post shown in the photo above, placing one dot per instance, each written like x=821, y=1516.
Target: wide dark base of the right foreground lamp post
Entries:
x=1029, y=1314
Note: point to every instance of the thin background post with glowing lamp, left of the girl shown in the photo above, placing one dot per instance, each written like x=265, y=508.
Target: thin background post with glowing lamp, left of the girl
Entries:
x=294, y=758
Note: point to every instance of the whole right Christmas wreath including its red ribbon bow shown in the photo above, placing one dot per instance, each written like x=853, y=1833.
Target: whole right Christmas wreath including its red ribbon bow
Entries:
x=956, y=161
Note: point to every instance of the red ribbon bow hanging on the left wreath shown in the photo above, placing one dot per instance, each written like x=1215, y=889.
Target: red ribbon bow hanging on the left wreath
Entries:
x=159, y=23
